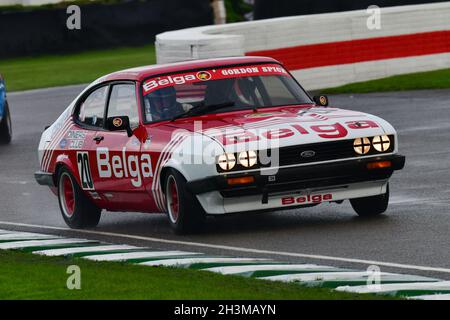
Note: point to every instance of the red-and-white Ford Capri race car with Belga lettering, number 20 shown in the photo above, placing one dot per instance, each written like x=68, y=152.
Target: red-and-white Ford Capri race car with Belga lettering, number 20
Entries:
x=212, y=137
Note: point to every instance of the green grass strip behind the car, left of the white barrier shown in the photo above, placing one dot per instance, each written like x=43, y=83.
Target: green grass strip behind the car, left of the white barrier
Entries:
x=58, y=70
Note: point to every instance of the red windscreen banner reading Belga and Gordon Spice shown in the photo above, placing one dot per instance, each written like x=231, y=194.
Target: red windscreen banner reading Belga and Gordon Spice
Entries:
x=215, y=74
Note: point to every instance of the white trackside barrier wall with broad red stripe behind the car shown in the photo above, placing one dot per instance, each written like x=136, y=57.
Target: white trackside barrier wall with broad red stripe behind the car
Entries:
x=327, y=50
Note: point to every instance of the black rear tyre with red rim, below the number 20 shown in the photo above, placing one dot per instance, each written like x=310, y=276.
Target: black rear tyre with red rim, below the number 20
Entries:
x=77, y=210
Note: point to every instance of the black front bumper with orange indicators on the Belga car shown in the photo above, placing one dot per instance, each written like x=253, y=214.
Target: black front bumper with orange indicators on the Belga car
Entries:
x=299, y=178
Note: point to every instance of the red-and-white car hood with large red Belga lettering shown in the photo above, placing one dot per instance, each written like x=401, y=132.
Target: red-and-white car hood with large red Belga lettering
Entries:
x=237, y=131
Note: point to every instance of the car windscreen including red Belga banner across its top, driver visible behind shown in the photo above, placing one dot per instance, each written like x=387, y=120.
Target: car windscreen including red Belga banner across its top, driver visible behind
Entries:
x=230, y=88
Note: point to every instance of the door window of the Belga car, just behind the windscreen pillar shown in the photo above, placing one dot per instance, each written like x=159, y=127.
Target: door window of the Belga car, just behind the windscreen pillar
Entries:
x=123, y=102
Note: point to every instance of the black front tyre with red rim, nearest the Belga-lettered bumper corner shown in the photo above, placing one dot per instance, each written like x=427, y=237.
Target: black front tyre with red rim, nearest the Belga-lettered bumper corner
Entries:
x=186, y=215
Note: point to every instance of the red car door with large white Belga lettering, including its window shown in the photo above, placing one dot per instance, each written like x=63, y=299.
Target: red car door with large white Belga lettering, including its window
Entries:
x=121, y=169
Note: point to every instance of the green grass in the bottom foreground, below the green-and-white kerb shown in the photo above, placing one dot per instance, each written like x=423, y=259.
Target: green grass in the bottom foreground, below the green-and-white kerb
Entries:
x=28, y=276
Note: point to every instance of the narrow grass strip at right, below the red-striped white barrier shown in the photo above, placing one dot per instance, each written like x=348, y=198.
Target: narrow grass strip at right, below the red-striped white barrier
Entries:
x=439, y=79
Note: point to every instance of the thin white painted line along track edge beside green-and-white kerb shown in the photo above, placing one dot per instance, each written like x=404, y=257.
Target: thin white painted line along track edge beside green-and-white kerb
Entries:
x=237, y=249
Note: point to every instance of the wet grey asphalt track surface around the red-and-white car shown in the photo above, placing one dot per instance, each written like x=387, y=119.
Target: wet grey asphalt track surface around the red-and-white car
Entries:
x=412, y=237
